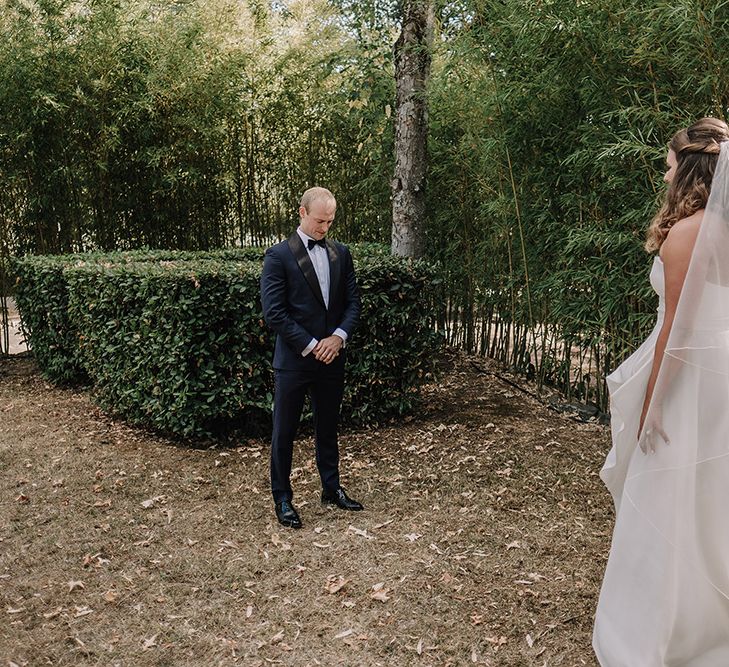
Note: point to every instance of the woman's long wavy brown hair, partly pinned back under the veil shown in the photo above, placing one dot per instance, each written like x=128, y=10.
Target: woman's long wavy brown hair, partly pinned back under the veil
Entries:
x=697, y=150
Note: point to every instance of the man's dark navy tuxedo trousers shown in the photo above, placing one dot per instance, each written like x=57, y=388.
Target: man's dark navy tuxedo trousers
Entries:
x=325, y=386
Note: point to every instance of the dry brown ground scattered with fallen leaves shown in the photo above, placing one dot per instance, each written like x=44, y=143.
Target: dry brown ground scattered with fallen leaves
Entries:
x=483, y=541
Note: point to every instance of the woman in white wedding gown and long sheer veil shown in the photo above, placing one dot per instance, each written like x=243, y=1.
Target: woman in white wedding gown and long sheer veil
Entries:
x=664, y=600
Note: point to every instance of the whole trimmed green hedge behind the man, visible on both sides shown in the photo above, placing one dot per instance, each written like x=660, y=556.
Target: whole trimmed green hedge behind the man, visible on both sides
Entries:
x=176, y=341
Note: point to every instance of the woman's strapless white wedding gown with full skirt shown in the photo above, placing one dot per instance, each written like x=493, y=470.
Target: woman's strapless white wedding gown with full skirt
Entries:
x=664, y=598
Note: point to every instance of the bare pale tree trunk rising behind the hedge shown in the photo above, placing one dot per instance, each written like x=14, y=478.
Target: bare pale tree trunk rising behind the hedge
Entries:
x=412, y=68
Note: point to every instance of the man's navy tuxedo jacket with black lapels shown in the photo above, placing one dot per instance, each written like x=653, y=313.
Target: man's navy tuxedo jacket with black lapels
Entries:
x=293, y=305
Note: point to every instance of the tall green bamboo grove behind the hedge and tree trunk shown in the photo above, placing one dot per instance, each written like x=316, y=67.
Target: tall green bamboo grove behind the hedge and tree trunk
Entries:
x=195, y=125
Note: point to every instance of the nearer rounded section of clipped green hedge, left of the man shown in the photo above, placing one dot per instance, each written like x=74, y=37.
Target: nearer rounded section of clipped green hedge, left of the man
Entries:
x=179, y=346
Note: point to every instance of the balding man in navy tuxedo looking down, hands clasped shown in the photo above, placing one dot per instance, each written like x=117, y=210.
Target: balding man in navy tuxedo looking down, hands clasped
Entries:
x=310, y=299
